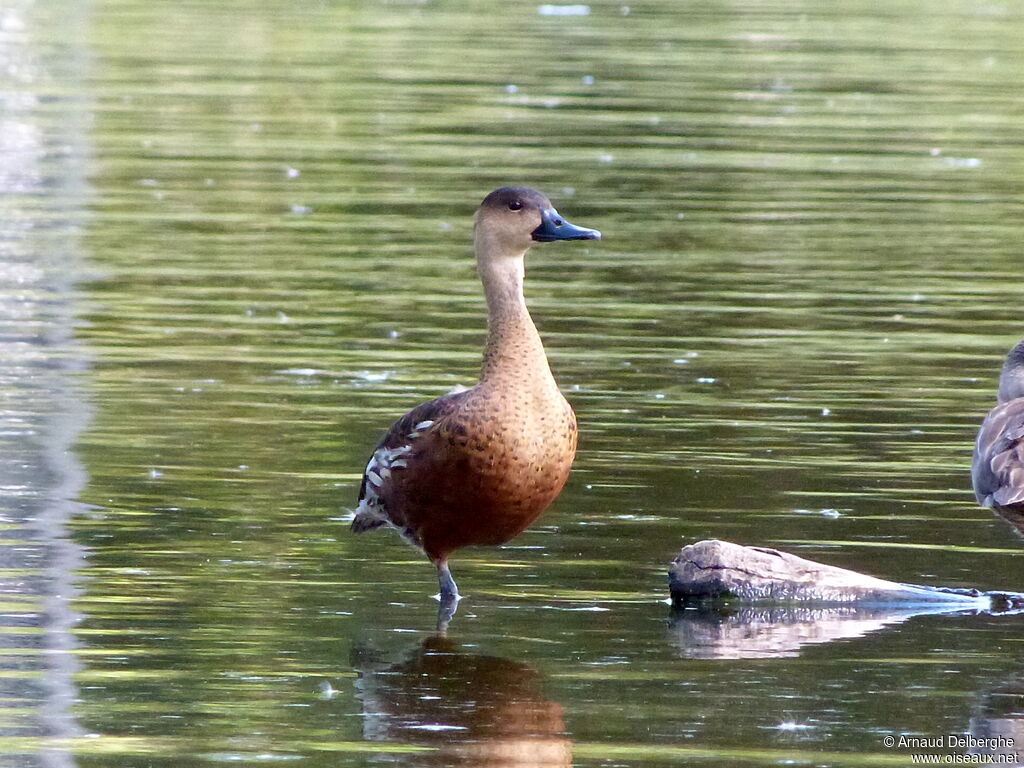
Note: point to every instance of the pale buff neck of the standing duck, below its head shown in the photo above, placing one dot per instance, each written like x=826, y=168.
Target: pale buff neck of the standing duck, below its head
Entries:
x=514, y=348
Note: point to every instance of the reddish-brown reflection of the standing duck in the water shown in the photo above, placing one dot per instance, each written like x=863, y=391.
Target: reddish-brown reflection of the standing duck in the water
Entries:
x=476, y=710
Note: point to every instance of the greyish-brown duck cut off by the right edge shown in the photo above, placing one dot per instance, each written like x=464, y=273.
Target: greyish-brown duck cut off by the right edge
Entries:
x=998, y=468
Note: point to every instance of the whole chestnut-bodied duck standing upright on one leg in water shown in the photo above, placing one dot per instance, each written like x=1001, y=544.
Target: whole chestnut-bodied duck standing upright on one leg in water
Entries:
x=479, y=466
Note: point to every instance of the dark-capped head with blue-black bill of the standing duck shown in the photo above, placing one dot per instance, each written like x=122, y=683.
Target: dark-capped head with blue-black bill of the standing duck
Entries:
x=514, y=219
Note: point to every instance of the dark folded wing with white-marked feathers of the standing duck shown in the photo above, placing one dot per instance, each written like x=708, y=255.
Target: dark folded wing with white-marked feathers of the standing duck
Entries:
x=394, y=453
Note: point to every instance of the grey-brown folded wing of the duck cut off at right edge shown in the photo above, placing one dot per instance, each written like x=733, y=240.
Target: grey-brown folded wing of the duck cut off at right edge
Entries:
x=998, y=471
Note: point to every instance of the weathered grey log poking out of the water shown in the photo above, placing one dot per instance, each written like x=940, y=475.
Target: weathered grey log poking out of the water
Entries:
x=714, y=569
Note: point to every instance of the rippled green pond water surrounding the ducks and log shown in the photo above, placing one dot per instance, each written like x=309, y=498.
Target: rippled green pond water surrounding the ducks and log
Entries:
x=236, y=246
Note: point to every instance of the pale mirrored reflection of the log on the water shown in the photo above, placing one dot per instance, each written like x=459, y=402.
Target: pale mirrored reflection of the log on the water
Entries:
x=758, y=632
